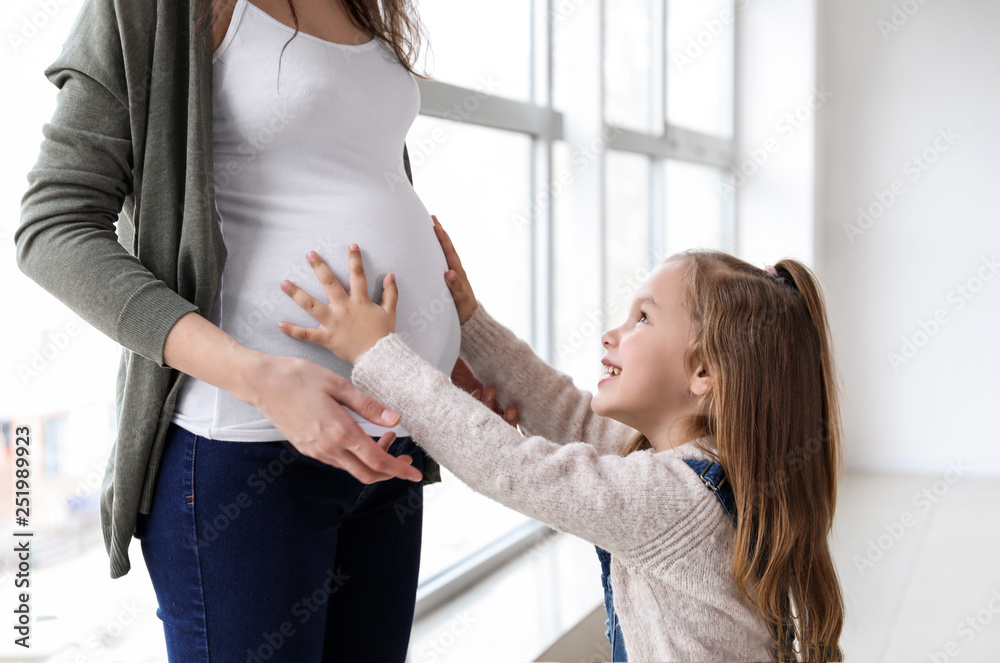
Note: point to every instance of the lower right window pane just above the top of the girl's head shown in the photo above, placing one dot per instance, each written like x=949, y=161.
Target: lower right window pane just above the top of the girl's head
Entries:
x=698, y=212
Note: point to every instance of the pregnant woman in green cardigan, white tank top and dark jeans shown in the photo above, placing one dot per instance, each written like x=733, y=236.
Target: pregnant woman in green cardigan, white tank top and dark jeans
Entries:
x=237, y=136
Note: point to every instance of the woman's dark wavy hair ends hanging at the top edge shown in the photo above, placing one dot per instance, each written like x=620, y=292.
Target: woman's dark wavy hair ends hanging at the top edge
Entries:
x=394, y=21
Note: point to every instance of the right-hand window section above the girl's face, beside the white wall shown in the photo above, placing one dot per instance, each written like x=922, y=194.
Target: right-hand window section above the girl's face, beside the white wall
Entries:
x=646, y=95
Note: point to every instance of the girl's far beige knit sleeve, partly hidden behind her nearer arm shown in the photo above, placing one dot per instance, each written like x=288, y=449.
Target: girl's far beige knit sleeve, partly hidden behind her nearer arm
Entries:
x=548, y=402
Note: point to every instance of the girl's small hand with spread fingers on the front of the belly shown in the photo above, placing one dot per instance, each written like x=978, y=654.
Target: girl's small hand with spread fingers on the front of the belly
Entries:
x=351, y=324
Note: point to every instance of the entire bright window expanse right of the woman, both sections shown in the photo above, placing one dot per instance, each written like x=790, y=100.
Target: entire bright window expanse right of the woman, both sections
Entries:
x=595, y=151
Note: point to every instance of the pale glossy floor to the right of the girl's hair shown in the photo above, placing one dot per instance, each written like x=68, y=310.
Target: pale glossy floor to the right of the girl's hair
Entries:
x=919, y=563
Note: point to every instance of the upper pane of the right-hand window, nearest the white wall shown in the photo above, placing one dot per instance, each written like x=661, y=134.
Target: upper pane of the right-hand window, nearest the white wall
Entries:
x=700, y=65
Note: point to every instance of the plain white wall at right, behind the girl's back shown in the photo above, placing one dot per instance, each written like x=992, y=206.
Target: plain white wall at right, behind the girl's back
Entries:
x=897, y=93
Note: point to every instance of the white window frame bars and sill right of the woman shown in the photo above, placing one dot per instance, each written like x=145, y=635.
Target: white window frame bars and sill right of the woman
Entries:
x=538, y=119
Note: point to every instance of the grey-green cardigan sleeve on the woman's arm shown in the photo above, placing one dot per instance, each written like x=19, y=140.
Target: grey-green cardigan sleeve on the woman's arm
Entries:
x=67, y=240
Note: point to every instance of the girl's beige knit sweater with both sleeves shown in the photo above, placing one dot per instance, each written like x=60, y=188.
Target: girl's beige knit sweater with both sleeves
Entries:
x=669, y=538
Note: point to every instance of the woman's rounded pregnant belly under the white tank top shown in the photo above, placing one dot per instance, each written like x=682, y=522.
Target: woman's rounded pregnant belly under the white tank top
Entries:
x=268, y=244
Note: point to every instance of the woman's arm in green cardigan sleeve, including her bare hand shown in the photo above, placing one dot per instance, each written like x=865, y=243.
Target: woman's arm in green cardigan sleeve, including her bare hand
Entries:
x=67, y=243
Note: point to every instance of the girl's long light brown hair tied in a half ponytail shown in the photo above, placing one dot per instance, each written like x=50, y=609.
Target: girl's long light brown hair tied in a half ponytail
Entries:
x=774, y=416
